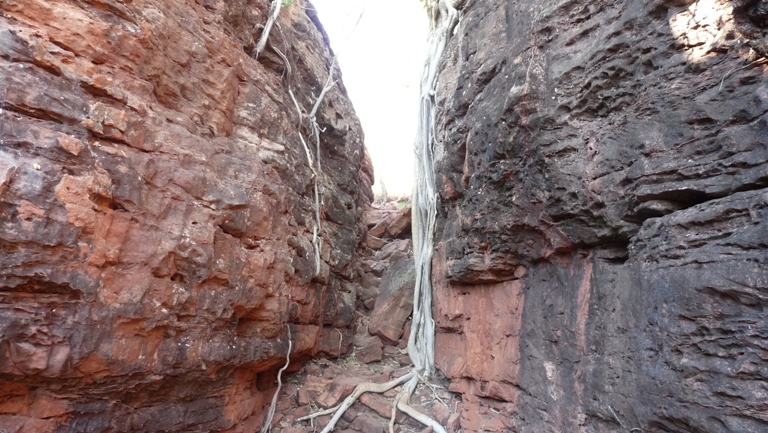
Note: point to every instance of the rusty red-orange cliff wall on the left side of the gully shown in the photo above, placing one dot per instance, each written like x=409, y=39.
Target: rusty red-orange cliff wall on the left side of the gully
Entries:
x=156, y=213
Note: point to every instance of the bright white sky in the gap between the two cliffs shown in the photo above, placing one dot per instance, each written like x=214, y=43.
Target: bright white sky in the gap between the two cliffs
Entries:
x=381, y=66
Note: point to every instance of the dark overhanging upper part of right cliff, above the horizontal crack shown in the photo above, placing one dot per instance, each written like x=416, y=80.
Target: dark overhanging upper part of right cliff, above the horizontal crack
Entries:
x=588, y=120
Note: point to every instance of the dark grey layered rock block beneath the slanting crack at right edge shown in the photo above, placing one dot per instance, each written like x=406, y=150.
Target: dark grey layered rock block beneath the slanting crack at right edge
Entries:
x=703, y=280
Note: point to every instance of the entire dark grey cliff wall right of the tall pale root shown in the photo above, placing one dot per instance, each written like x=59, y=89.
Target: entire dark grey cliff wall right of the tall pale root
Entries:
x=602, y=263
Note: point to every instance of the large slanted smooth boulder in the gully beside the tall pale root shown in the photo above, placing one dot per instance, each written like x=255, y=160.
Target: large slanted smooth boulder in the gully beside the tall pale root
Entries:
x=395, y=301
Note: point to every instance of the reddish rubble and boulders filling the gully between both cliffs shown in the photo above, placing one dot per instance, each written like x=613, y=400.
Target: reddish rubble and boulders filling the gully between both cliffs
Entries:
x=379, y=352
